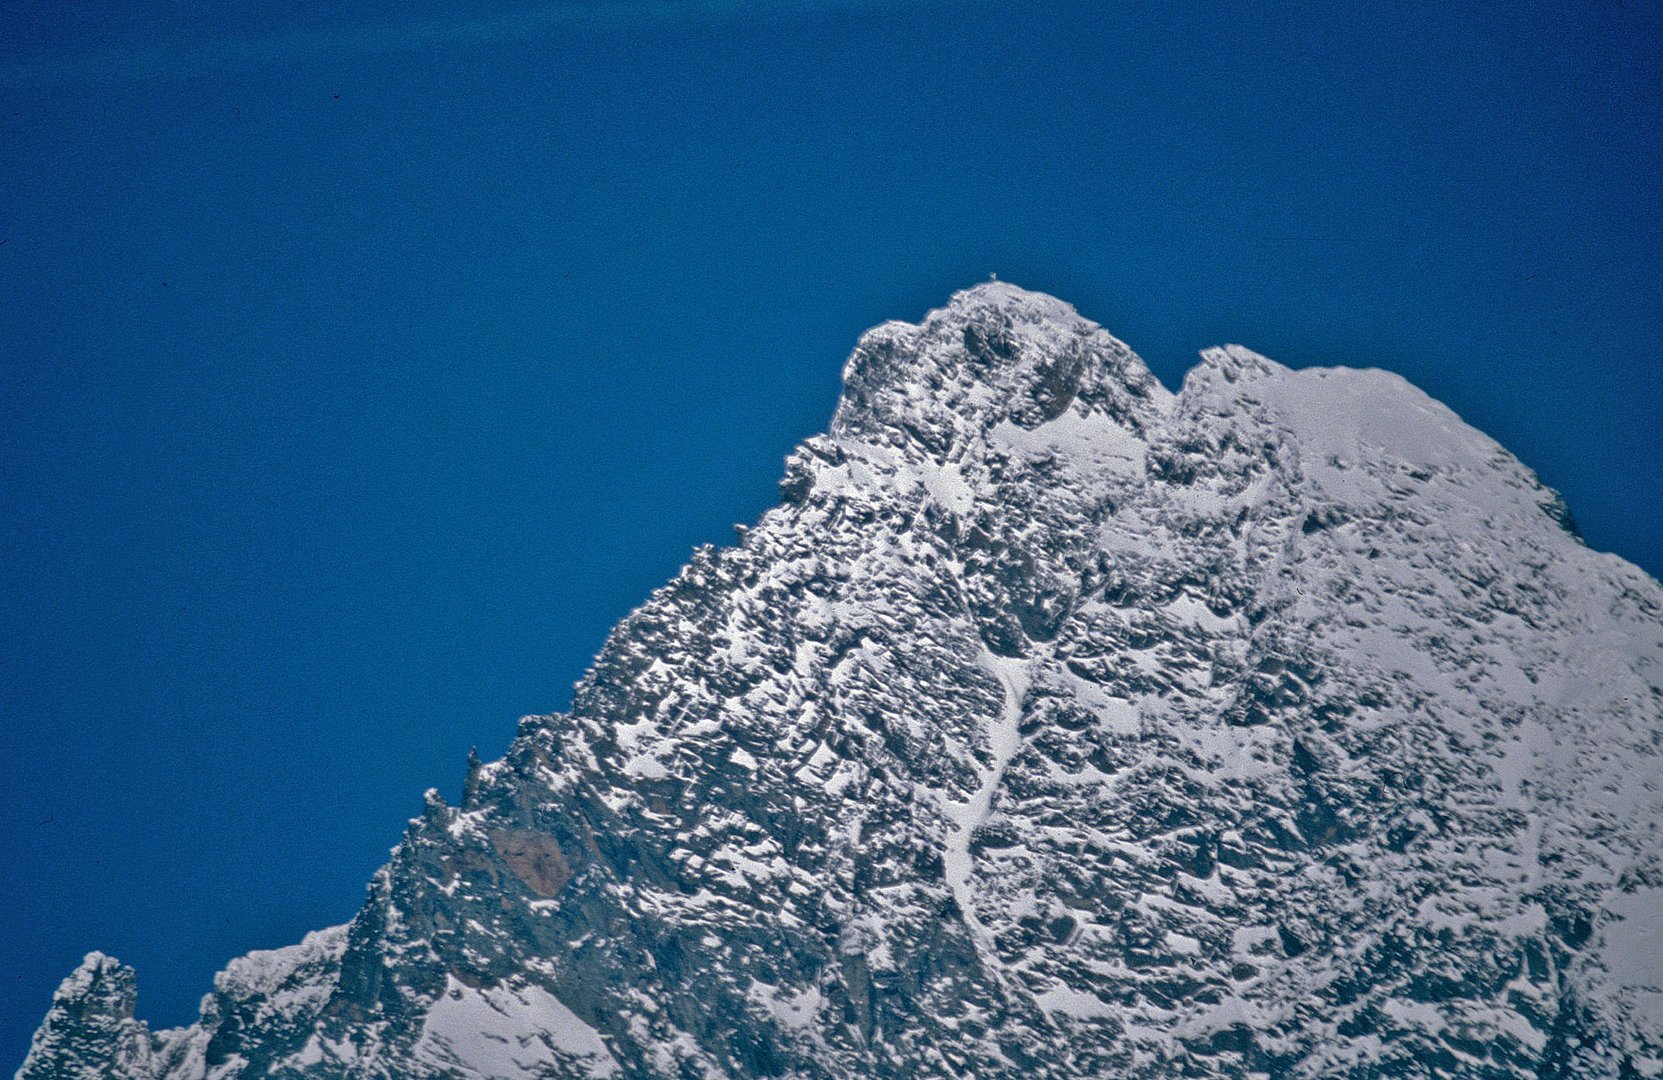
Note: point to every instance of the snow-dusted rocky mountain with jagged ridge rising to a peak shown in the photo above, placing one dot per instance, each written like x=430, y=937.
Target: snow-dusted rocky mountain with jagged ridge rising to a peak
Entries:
x=1054, y=725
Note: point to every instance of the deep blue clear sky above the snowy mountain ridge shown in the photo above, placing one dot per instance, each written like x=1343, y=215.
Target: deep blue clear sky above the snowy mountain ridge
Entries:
x=358, y=375
